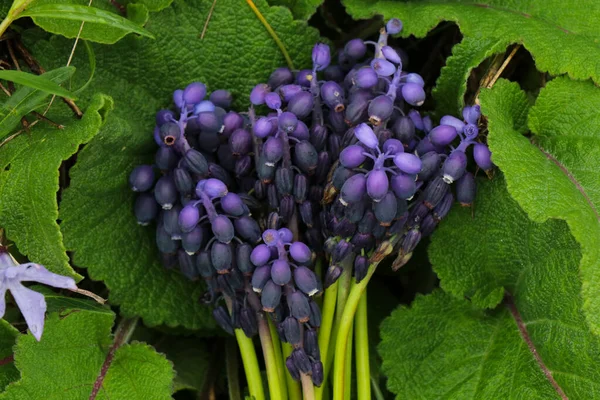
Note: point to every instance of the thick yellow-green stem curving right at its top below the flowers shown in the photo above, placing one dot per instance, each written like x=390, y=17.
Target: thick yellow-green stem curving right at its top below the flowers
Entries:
x=356, y=292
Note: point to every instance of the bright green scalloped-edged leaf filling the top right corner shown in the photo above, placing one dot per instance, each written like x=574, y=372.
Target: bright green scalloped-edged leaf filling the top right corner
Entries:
x=561, y=36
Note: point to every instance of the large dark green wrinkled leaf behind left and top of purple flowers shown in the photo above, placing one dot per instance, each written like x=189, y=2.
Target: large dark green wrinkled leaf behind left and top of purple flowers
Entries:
x=236, y=53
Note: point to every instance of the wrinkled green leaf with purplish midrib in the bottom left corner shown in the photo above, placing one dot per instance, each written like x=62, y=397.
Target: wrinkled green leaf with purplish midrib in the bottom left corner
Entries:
x=67, y=361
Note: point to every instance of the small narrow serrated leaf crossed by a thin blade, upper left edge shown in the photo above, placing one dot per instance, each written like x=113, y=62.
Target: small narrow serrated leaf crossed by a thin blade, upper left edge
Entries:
x=27, y=99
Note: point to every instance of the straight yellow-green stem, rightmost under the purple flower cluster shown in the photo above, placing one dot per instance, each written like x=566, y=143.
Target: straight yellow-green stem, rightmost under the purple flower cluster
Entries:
x=361, y=332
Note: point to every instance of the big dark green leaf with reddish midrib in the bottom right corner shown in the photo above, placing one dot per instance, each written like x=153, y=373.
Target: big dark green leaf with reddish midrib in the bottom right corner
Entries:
x=446, y=346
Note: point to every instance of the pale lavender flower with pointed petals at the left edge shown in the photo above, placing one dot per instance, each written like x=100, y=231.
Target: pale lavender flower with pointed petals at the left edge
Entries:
x=31, y=303
